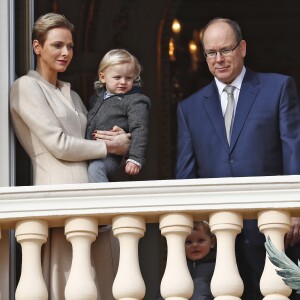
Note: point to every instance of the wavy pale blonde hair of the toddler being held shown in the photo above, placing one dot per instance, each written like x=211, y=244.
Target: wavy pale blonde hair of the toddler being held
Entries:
x=115, y=57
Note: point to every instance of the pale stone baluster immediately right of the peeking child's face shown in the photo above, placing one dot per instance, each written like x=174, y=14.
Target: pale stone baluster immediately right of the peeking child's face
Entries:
x=226, y=283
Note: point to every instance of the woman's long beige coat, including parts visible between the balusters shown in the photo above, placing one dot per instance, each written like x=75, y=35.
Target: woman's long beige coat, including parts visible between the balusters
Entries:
x=50, y=124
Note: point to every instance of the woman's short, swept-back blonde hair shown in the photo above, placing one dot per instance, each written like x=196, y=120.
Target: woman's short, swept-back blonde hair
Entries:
x=47, y=22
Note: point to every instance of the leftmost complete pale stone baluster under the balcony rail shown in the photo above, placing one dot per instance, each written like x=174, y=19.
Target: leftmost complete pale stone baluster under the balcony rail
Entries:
x=31, y=234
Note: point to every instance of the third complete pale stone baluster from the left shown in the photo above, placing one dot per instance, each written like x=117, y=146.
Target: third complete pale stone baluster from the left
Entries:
x=129, y=283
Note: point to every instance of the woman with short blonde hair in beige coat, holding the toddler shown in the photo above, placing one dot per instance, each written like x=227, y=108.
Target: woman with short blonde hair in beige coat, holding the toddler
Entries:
x=49, y=120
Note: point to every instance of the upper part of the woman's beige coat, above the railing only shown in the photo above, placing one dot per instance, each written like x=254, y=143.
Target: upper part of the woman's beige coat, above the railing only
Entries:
x=50, y=124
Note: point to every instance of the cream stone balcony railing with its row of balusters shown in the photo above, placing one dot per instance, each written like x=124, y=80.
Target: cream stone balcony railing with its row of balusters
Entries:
x=128, y=206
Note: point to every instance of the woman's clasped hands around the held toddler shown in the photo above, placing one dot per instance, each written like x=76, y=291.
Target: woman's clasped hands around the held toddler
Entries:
x=117, y=140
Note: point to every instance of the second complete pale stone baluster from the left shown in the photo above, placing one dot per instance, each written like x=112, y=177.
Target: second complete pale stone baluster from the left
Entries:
x=81, y=232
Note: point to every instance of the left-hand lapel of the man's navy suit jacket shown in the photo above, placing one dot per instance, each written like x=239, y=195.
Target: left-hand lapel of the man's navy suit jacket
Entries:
x=212, y=105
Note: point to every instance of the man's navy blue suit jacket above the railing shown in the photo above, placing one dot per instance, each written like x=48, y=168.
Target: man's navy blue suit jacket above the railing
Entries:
x=265, y=136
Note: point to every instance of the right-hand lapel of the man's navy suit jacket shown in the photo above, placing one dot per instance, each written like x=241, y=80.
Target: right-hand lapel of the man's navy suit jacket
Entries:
x=248, y=93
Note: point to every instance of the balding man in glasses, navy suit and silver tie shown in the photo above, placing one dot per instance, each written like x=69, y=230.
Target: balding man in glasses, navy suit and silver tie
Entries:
x=262, y=139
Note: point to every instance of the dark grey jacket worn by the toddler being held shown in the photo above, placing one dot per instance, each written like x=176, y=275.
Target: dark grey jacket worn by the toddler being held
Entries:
x=129, y=111
